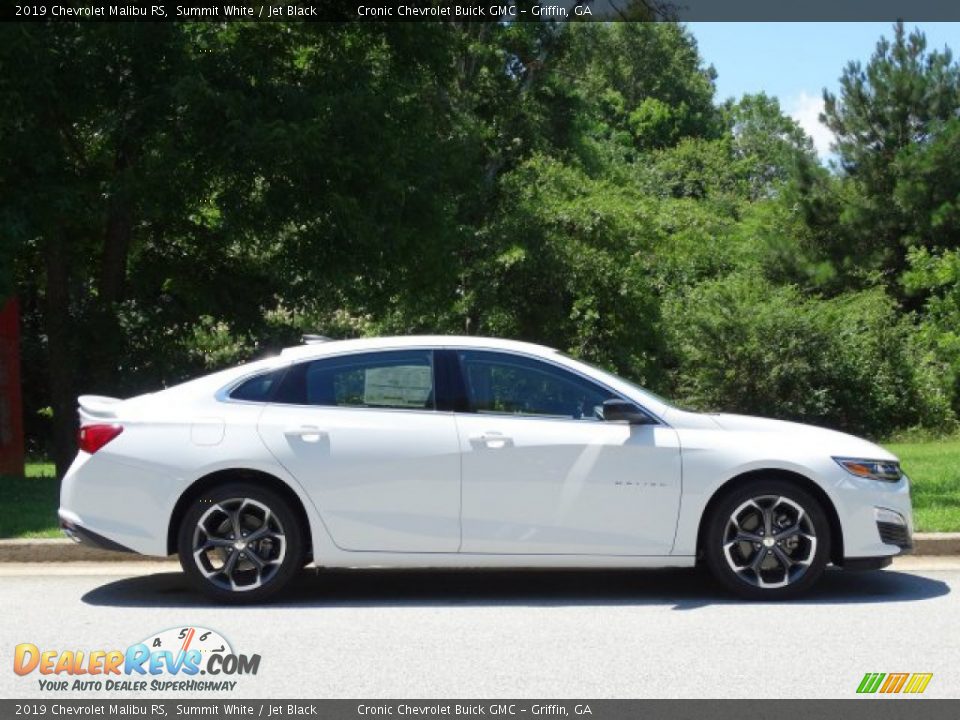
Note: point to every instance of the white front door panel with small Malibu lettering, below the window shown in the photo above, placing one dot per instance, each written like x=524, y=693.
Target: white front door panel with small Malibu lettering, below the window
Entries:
x=568, y=487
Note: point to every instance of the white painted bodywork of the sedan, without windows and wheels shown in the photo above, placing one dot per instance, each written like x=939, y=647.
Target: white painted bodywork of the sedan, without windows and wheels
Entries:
x=416, y=488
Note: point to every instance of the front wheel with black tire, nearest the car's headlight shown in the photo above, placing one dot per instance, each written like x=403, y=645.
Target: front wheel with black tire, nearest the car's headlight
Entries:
x=784, y=541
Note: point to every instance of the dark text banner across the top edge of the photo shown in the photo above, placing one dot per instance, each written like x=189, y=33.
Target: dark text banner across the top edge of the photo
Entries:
x=482, y=11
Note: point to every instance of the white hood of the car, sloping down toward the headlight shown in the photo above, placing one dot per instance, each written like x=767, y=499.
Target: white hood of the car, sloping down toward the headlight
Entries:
x=829, y=441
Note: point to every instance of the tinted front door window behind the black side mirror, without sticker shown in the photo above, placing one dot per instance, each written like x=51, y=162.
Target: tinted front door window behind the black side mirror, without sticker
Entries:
x=510, y=384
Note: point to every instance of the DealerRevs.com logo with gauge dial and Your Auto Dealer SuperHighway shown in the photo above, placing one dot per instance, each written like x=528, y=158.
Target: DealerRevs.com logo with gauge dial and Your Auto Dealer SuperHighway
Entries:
x=179, y=659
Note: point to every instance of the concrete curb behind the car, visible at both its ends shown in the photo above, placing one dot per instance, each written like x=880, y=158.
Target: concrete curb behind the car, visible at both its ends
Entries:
x=63, y=550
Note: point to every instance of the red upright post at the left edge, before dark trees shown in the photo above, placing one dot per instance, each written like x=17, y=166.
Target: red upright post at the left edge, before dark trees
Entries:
x=11, y=411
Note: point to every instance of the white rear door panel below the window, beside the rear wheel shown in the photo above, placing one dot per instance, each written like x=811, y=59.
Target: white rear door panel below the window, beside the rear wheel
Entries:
x=383, y=480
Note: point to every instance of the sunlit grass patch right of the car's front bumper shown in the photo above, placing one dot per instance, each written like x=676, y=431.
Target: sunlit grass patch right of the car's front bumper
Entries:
x=934, y=469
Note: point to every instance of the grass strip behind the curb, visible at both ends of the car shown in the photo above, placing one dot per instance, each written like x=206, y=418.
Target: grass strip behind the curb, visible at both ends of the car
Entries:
x=29, y=508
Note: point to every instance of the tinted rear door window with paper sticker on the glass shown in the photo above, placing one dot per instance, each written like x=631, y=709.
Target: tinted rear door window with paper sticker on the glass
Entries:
x=400, y=379
